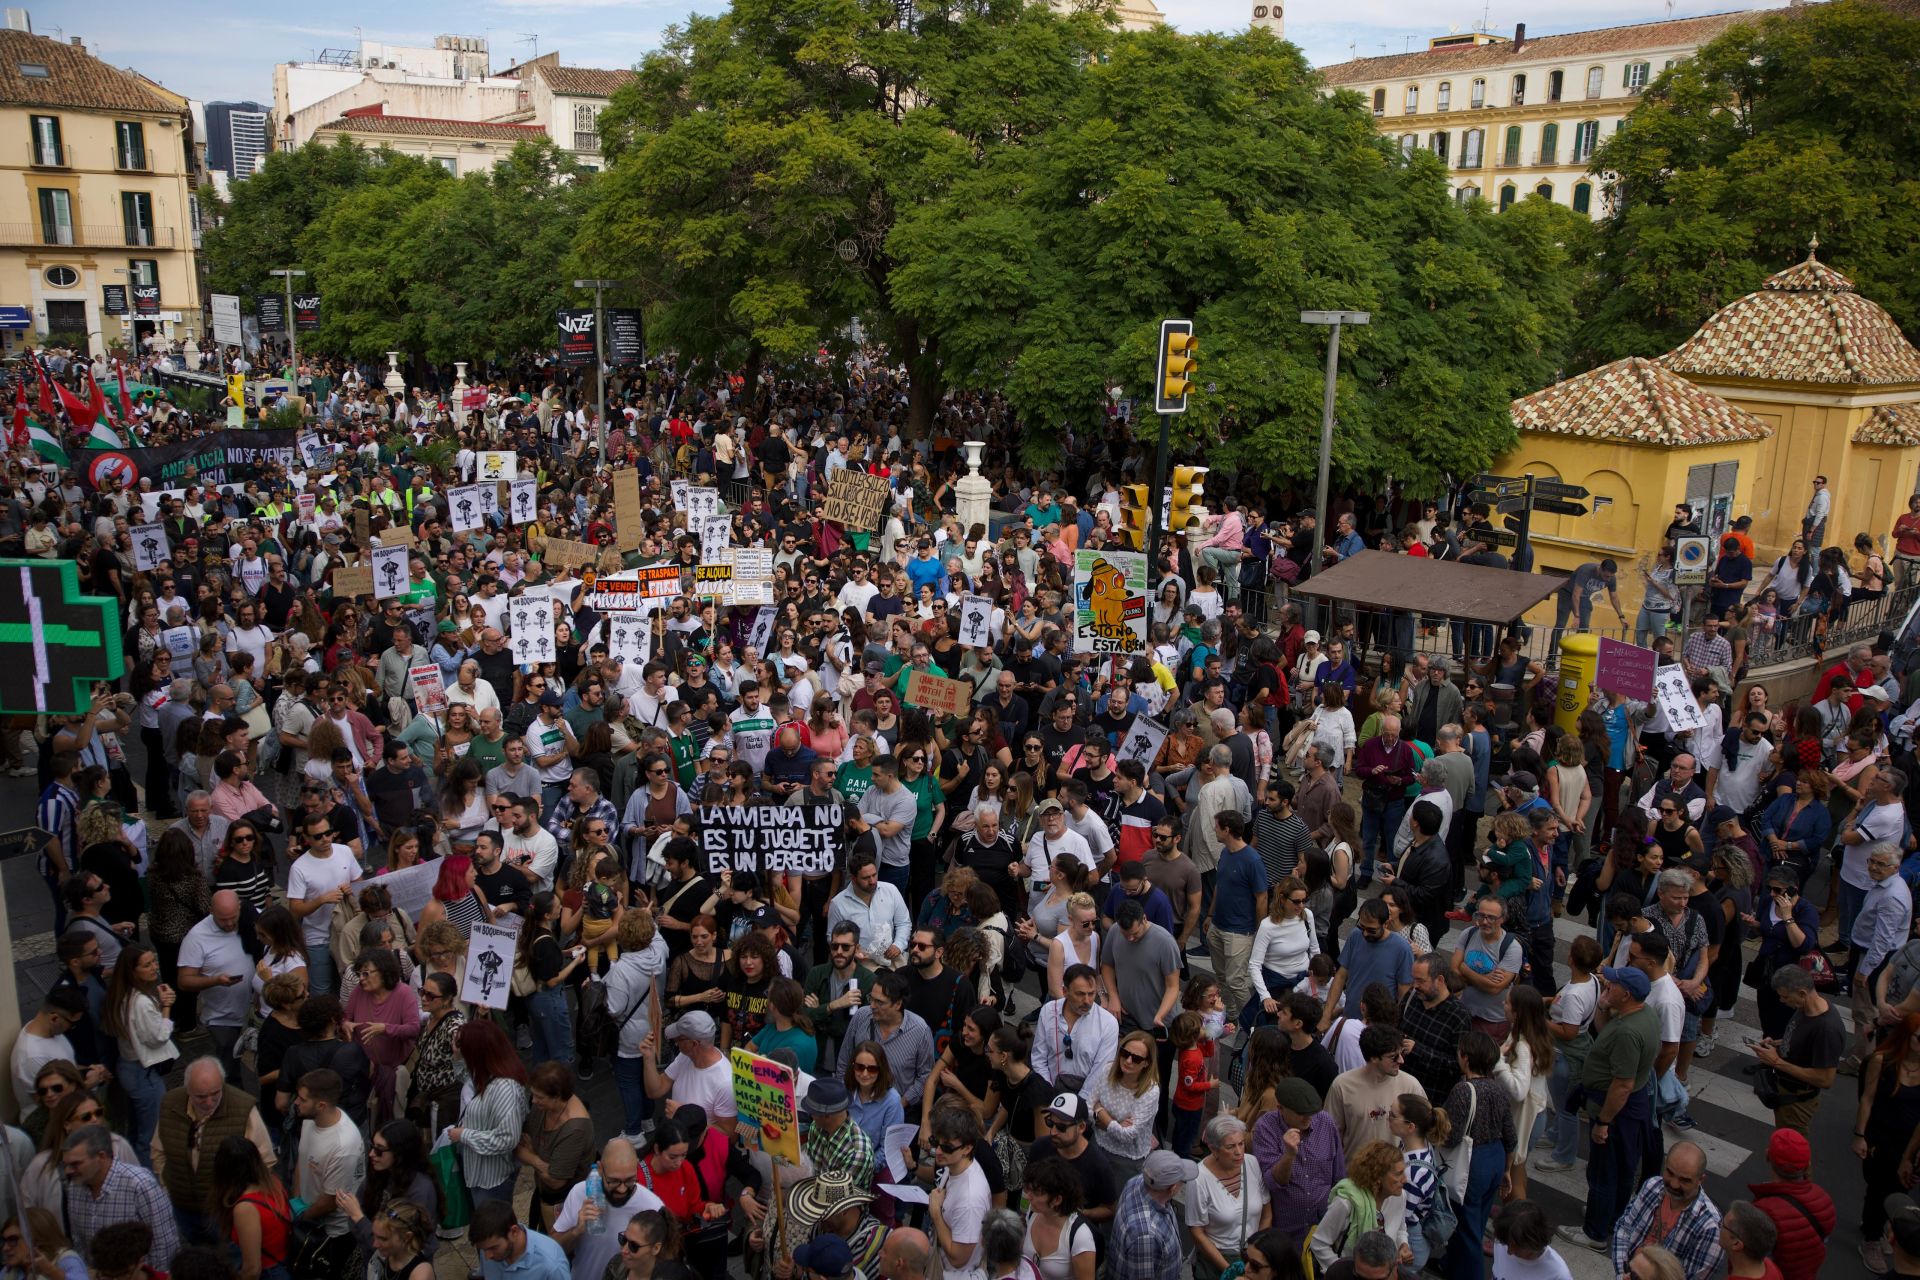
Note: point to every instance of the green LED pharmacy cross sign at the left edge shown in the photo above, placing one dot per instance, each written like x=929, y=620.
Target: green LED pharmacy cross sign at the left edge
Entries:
x=55, y=642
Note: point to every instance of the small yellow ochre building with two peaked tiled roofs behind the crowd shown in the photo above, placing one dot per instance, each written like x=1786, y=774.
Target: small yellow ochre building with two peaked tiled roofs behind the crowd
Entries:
x=1798, y=379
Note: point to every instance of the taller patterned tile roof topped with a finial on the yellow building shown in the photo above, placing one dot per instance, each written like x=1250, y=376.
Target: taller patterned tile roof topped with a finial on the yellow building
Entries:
x=1802, y=325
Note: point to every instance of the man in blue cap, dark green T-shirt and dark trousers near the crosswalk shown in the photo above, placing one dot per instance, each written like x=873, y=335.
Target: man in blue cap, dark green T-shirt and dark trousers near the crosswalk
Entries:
x=1620, y=1106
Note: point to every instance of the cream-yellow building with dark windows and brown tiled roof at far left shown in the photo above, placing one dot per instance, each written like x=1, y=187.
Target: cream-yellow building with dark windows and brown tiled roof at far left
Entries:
x=95, y=193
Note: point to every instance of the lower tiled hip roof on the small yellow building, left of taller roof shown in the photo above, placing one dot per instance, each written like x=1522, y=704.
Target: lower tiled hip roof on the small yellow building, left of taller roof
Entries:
x=1637, y=402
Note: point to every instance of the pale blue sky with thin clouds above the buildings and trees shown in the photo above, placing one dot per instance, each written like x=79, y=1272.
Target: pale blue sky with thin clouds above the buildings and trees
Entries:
x=226, y=51
